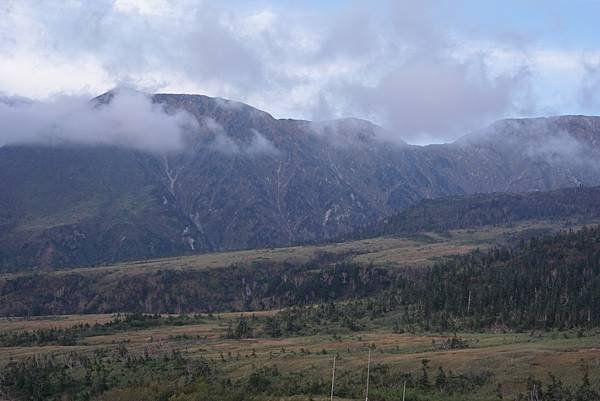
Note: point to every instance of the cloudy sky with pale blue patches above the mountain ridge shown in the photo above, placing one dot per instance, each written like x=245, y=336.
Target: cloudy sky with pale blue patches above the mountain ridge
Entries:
x=428, y=71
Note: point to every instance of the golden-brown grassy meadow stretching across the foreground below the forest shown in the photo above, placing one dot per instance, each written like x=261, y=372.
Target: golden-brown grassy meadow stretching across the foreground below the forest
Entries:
x=509, y=357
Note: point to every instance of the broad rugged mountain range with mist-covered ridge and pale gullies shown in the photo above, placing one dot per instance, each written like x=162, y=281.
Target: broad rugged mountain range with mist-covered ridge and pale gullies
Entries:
x=245, y=179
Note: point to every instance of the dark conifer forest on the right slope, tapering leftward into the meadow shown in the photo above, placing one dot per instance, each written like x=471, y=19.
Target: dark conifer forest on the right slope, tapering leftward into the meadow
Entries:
x=543, y=283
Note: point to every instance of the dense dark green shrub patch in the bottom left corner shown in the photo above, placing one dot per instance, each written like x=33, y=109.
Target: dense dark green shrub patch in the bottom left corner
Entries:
x=84, y=376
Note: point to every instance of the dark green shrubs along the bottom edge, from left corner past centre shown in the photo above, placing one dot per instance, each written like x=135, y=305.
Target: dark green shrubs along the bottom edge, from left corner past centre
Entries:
x=118, y=375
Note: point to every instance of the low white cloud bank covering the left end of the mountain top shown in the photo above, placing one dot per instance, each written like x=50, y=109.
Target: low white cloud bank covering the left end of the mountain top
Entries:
x=130, y=119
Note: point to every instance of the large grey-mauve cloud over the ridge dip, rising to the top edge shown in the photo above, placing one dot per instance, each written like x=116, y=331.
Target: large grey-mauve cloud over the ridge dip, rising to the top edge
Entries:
x=424, y=86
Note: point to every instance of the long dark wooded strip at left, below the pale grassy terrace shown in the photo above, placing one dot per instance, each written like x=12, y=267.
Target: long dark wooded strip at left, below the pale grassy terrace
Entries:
x=259, y=286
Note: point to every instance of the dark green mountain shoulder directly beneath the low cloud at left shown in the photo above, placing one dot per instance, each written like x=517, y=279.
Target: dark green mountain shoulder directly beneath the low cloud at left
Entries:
x=73, y=206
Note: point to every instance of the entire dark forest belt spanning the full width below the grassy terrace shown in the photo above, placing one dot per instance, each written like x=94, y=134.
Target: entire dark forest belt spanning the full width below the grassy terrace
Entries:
x=550, y=282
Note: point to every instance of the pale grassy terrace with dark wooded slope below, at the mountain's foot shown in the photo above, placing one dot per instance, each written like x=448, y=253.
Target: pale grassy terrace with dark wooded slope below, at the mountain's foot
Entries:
x=256, y=279
